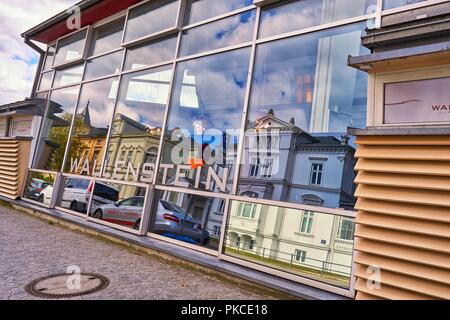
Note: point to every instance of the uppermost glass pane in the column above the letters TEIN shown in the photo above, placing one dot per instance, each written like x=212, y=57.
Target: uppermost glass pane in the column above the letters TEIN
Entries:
x=198, y=10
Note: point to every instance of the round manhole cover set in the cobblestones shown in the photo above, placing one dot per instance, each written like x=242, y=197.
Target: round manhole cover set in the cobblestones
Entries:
x=64, y=285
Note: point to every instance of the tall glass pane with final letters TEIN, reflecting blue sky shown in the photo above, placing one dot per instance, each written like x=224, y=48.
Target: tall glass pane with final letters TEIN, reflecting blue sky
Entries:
x=205, y=115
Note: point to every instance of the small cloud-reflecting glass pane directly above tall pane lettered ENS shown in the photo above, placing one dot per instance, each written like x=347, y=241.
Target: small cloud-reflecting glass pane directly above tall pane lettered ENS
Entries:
x=151, y=53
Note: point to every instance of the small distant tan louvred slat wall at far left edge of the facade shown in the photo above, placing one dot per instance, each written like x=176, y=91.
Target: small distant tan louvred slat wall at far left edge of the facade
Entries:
x=14, y=155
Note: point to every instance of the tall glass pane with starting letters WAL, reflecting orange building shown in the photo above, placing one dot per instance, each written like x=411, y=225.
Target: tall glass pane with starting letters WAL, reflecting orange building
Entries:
x=94, y=114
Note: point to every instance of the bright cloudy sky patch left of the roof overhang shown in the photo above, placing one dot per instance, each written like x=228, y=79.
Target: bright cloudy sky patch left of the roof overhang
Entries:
x=18, y=61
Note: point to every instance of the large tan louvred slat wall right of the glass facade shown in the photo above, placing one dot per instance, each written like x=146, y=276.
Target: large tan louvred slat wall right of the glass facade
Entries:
x=403, y=219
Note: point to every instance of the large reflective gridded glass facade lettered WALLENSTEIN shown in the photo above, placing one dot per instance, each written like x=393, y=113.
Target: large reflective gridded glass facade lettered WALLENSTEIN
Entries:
x=220, y=126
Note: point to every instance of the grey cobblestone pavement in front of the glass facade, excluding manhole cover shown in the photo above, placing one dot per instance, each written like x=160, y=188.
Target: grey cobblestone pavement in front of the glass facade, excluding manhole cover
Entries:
x=31, y=248
